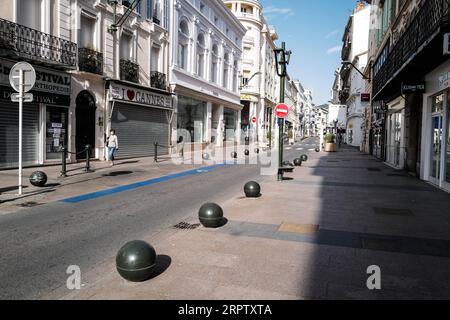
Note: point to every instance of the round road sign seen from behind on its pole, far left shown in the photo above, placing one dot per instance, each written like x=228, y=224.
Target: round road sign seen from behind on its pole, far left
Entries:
x=22, y=79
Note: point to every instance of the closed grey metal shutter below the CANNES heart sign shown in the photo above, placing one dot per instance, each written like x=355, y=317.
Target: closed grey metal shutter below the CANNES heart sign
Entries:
x=138, y=128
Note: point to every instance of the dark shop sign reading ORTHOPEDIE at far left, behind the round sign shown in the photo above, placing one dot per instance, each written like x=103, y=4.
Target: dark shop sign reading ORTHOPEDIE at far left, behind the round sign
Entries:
x=51, y=87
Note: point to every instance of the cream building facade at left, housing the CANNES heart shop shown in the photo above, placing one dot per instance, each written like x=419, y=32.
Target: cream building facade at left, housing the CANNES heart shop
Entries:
x=92, y=77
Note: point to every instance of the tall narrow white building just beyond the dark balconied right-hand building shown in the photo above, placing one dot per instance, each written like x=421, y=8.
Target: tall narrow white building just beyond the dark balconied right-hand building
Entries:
x=355, y=51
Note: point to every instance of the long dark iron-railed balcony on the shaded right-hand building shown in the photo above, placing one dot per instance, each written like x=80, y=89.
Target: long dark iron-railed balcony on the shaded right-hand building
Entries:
x=433, y=15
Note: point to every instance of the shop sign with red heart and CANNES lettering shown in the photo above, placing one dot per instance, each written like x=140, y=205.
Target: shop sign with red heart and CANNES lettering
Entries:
x=140, y=96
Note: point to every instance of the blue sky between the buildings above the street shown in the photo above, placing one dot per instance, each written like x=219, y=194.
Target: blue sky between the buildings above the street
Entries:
x=313, y=30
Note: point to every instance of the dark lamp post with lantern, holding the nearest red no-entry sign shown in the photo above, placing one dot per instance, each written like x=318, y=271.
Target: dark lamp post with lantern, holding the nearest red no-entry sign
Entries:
x=282, y=58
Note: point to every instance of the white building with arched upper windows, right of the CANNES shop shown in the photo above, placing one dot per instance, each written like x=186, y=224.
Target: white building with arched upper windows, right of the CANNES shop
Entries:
x=205, y=62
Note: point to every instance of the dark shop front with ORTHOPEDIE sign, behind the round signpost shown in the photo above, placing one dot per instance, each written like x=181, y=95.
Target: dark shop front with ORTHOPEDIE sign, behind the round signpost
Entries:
x=45, y=120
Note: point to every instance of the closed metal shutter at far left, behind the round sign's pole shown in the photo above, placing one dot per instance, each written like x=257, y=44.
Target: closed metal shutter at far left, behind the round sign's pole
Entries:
x=9, y=135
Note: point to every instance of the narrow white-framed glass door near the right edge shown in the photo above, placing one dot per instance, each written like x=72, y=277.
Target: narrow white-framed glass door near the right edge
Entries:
x=437, y=137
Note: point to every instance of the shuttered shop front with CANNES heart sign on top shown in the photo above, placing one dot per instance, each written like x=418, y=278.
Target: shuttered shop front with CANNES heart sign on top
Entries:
x=141, y=118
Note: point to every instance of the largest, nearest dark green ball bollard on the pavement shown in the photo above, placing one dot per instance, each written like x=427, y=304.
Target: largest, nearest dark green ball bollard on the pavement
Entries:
x=136, y=261
